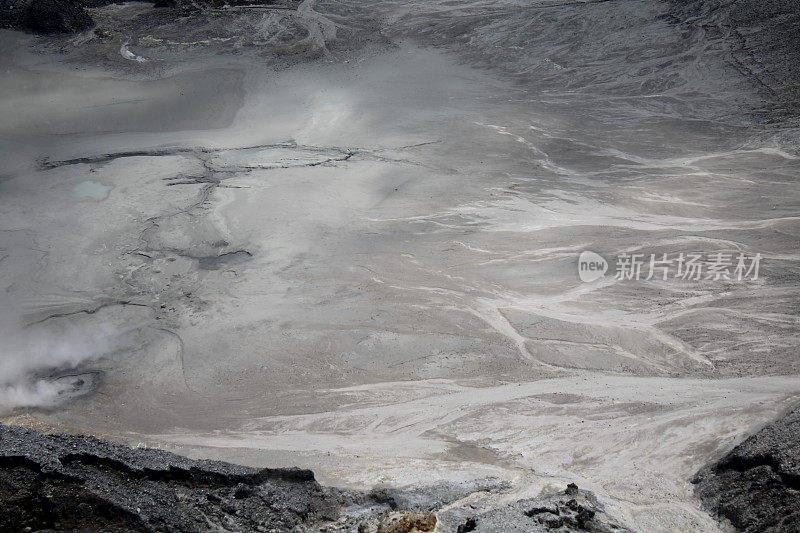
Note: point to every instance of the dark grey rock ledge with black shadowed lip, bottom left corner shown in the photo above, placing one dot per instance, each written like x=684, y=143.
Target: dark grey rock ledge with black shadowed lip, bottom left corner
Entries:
x=81, y=483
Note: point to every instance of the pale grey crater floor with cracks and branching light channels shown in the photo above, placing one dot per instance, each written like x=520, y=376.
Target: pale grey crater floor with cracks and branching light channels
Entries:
x=347, y=241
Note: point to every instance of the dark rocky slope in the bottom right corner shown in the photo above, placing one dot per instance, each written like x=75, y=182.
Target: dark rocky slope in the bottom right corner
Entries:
x=757, y=485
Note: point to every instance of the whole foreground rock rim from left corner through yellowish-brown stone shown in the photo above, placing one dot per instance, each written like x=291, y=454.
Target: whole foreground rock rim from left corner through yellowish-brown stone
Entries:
x=77, y=483
